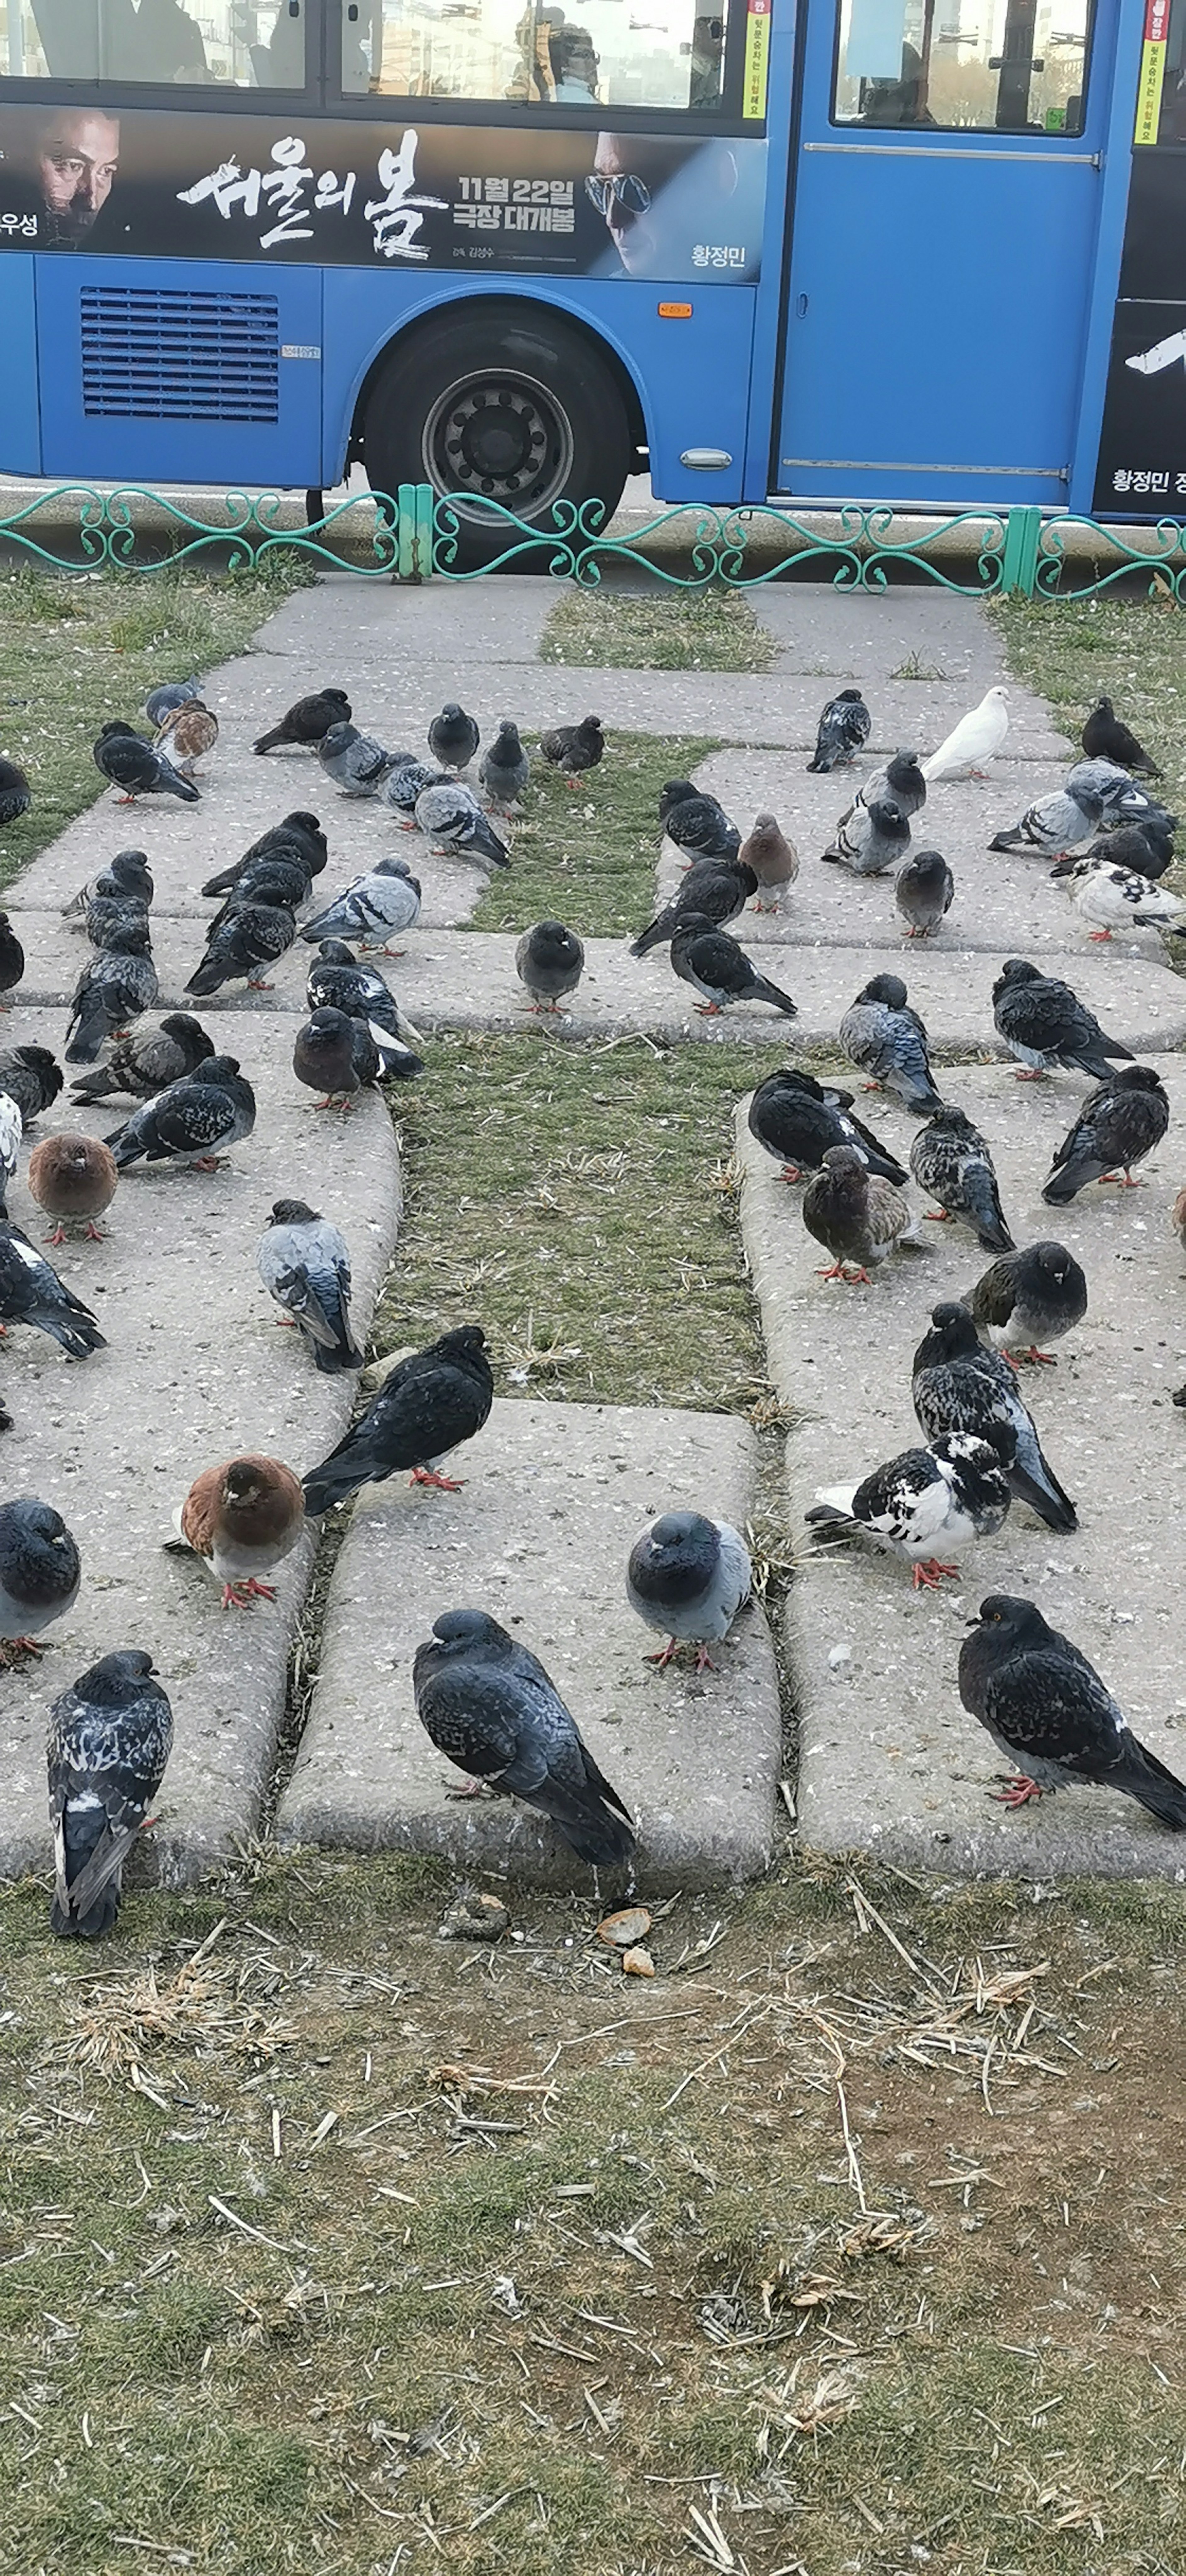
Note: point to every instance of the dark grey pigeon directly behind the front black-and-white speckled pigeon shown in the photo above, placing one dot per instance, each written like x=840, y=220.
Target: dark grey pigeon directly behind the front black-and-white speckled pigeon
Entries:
x=958, y=1387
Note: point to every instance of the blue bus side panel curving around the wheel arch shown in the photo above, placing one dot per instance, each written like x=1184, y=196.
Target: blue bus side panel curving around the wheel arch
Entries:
x=691, y=377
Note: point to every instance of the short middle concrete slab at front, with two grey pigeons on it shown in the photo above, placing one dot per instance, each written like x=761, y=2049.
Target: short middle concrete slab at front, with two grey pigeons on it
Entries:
x=542, y=1534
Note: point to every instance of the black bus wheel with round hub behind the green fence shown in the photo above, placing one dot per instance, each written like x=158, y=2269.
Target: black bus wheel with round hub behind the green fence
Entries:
x=498, y=406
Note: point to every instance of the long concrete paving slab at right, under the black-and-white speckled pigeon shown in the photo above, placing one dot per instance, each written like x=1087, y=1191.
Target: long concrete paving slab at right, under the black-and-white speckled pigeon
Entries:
x=889, y=1758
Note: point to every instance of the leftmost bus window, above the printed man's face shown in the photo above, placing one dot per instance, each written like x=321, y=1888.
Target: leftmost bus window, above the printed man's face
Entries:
x=210, y=45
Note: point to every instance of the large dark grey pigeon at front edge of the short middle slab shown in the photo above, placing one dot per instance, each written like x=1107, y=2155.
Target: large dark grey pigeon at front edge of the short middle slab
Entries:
x=488, y=1704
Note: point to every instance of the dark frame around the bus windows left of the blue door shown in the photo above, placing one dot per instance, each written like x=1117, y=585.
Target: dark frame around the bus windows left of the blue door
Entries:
x=323, y=94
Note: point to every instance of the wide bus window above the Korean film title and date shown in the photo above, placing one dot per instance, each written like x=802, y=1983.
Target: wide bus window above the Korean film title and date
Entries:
x=536, y=53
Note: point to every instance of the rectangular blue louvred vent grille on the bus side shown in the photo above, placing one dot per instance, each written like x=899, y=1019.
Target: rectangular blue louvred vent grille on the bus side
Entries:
x=156, y=354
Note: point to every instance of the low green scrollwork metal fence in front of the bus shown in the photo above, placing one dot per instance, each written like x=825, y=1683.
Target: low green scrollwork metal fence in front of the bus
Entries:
x=413, y=537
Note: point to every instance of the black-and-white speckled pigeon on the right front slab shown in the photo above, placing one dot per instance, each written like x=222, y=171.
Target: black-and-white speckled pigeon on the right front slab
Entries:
x=927, y=1506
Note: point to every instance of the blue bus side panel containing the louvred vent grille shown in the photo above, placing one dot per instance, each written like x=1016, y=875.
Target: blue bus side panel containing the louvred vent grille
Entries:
x=181, y=370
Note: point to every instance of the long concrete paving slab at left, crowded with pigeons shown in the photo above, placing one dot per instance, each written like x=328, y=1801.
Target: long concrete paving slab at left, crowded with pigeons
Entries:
x=194, y=1372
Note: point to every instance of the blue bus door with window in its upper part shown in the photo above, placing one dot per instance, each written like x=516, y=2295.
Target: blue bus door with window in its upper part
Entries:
x=943, y=246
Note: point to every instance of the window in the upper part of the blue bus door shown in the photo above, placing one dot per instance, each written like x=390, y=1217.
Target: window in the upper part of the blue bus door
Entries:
x=992, y=66
